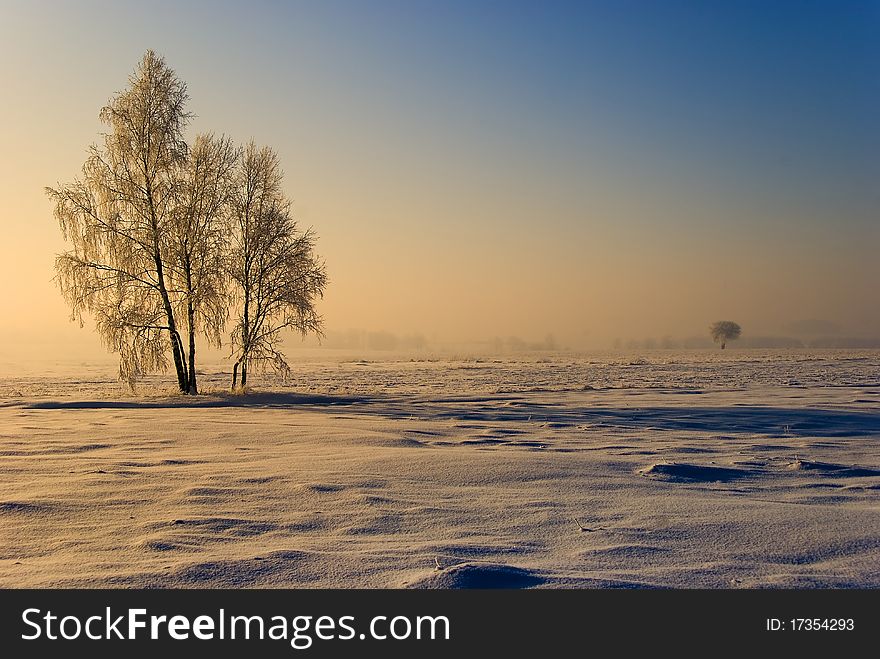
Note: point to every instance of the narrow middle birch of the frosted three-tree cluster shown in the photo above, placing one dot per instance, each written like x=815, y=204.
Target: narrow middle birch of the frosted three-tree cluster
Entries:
x=196, y=242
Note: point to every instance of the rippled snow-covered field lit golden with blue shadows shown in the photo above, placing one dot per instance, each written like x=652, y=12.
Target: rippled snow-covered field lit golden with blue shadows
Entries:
x=741, y=468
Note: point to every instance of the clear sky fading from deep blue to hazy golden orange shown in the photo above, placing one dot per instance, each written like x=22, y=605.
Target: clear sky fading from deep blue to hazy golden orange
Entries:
x=473, y=169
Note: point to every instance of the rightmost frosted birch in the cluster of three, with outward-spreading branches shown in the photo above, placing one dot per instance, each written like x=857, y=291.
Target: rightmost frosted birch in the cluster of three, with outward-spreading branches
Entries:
x=276, y=275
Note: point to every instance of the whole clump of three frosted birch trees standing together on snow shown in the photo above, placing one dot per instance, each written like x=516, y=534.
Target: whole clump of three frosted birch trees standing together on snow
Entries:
x=167, y=238
